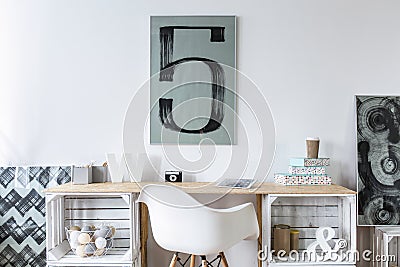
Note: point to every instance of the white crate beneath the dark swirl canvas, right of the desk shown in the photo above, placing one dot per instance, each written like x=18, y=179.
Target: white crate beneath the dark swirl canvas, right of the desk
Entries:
x=386, y=246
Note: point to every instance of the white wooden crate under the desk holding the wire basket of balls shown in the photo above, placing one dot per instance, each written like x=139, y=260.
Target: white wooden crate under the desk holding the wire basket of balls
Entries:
x=67, y=209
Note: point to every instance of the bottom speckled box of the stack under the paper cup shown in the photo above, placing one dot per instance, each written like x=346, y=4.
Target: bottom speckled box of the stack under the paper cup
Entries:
x=290, y=179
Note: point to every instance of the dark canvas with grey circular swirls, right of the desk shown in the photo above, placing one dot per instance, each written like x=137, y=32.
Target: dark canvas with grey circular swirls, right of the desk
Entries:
x=378, y=145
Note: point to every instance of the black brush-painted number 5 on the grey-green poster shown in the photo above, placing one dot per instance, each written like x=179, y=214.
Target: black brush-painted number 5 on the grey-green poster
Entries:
x=167, y=70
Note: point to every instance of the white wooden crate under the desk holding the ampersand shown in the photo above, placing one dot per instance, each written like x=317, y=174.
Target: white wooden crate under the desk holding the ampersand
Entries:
x=306, y=213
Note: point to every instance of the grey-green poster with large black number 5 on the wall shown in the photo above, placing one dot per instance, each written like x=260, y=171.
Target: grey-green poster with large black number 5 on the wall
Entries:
x=192, y=89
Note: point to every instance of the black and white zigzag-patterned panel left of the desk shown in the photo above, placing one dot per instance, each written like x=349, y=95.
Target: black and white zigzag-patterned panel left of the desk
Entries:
x=22, y=213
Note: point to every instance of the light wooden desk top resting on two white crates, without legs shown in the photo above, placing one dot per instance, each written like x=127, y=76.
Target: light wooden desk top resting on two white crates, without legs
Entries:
x=204, y=188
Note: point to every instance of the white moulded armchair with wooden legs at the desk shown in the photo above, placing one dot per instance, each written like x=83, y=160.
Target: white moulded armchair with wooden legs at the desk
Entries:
x=182, y=224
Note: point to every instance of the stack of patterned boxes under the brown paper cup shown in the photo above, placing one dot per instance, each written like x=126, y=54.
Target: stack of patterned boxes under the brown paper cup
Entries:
x=305, y=171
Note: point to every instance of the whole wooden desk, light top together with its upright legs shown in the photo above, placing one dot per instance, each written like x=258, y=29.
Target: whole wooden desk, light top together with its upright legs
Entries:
x=202, y=188
